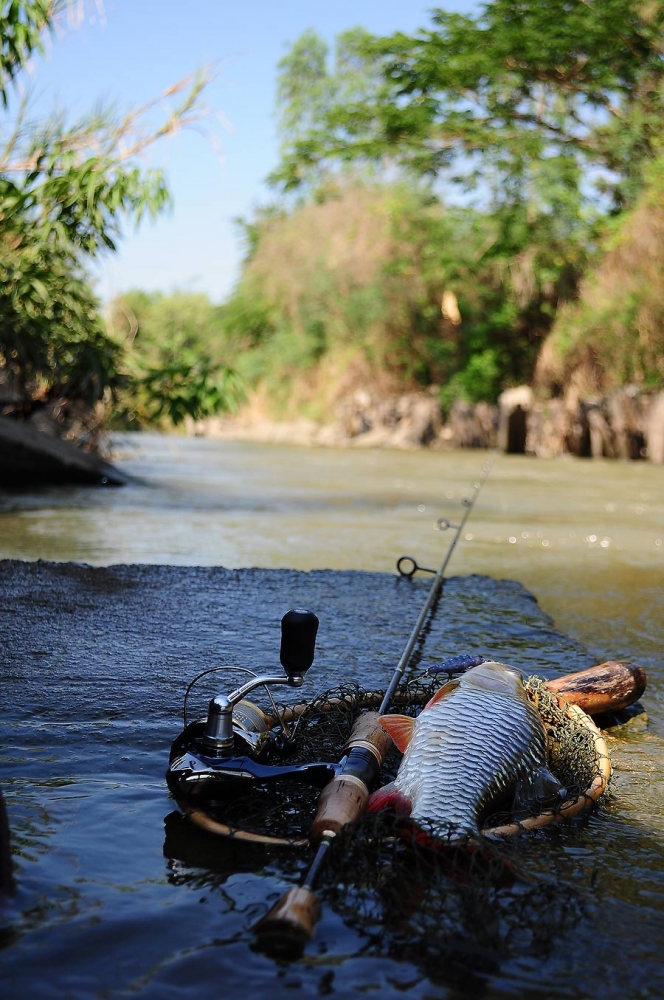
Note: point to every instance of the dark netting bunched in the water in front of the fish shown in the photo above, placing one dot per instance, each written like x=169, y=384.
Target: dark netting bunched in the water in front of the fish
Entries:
x=445, y=910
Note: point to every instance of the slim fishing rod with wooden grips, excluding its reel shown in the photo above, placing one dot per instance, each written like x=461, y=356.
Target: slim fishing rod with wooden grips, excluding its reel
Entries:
x=289, y=924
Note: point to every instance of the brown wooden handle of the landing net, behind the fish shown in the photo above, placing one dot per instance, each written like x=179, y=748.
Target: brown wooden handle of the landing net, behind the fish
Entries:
x=609, y=687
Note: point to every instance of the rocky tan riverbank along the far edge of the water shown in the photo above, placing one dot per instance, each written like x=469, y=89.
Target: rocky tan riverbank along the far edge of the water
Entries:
x=626, y=424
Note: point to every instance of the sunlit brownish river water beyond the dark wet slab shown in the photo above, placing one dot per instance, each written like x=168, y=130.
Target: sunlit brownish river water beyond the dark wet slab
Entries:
x=587, y=538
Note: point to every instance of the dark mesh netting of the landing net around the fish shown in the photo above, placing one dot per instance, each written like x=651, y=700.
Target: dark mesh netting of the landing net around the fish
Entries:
x=415, y=894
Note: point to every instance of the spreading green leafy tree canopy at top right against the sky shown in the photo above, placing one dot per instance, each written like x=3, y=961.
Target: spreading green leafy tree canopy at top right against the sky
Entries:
x=569, y=81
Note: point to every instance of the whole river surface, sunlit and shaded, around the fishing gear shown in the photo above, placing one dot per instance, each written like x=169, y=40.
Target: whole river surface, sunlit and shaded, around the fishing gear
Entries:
x=585, y=538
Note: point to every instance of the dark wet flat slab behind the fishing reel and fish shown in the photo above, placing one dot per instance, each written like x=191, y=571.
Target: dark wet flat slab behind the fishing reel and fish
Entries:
x=127, y=639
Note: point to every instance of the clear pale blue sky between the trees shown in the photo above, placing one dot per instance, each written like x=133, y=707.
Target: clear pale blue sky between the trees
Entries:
x=128, y=51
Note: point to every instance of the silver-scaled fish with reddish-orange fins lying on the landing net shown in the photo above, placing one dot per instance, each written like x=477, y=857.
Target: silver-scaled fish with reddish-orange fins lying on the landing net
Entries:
x=478, y=741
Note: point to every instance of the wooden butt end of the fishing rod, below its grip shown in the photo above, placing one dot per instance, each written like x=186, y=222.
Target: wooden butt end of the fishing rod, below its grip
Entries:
x=285, y=929
